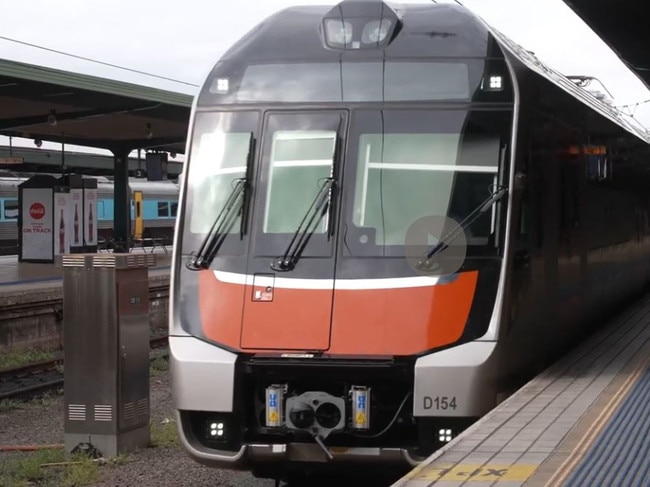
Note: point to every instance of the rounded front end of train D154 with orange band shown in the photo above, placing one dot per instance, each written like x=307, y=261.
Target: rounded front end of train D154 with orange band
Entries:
x=336, y=282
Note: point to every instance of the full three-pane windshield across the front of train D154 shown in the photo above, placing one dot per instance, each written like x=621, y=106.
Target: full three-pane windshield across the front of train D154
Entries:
x=402, y=165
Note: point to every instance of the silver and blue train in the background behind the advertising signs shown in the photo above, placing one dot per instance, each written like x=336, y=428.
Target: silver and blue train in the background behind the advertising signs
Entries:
x=159, y=208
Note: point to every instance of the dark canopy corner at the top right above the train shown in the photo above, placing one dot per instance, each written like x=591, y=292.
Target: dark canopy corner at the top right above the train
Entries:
x=621, y=24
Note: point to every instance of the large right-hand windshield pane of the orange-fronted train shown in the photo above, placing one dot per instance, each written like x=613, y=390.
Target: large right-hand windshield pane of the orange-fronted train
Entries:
x=416, y=164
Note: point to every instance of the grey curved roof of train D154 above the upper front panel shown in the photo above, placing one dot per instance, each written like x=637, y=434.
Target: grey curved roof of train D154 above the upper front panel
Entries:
x=424, y=31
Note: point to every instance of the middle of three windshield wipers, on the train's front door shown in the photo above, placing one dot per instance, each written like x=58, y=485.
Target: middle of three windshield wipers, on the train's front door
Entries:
x=288, y=260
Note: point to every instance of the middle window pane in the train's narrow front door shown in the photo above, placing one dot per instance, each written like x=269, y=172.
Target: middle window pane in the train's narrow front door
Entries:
x=301, y=160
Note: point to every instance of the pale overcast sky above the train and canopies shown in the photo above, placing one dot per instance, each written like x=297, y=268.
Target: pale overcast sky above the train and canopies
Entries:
x=183, y=39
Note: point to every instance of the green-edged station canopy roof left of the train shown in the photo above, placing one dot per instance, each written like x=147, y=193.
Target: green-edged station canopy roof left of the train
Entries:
x=59, y=106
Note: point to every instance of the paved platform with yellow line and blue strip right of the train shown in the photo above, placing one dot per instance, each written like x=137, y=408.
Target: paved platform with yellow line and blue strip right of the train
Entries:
x=585, y=421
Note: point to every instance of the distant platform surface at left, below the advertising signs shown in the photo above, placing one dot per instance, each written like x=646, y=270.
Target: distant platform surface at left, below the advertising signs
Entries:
x=16, y=275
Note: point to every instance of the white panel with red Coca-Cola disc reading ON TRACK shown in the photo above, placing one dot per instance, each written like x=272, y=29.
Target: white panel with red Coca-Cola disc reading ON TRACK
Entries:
x=37, y=220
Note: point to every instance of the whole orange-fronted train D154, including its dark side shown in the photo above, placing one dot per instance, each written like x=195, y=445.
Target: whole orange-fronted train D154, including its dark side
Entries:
x=391, y=216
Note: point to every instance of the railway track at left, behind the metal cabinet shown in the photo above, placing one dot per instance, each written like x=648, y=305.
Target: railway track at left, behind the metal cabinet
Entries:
x=33, y=379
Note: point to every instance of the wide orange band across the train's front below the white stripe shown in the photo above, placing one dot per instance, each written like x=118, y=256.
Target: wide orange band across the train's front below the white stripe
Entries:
x=363, y=321
